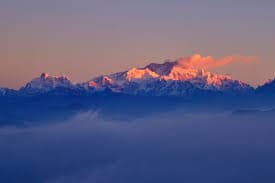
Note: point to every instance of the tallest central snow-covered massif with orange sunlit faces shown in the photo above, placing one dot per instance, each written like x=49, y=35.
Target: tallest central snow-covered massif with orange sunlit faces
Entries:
x=168, y=77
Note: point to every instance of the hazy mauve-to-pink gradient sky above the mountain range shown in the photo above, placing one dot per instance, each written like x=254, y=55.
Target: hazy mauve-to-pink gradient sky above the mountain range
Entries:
x=86, y=38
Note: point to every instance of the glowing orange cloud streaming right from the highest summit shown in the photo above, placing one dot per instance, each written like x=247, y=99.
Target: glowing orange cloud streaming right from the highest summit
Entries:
x=199, y=62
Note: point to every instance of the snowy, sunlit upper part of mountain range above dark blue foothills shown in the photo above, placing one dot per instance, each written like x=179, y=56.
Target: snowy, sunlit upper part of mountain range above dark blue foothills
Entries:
x=171, y=78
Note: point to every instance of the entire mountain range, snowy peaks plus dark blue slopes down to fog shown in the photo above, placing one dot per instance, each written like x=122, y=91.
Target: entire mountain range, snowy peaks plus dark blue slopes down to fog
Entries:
x=133, y=93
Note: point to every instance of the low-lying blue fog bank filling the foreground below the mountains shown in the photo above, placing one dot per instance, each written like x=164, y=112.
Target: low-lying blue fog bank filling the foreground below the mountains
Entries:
x=168, y=147
